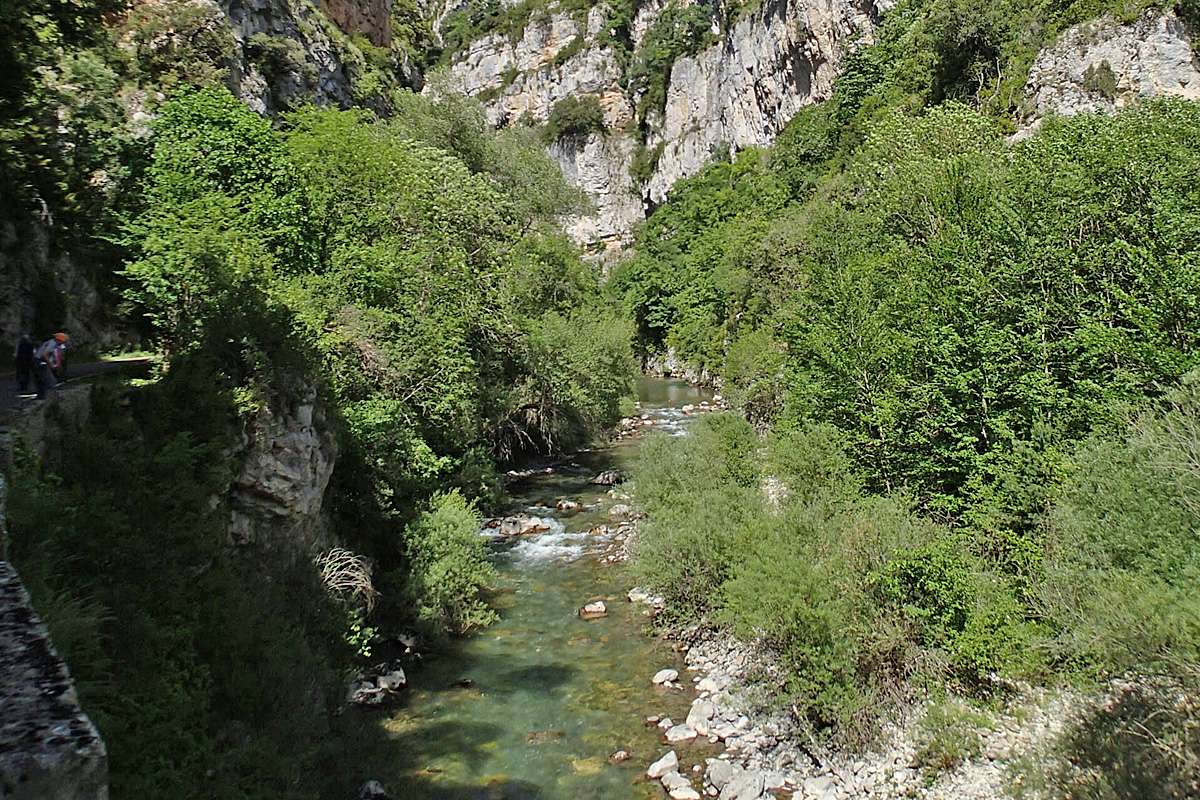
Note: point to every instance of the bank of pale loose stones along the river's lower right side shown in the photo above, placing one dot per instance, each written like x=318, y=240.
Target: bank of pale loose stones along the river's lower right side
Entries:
x=767, y=754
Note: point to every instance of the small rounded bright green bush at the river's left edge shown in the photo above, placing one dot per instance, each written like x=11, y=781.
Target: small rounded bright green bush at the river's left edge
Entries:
x=449, y=572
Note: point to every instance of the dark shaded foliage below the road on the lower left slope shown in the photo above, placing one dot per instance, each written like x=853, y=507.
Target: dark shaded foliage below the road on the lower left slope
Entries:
x=159, y=618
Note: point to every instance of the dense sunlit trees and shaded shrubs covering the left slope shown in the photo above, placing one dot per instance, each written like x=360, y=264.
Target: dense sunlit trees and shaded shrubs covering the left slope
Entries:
x=398, y=267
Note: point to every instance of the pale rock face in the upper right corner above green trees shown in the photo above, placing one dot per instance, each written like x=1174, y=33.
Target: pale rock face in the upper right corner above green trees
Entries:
x=1102, y=67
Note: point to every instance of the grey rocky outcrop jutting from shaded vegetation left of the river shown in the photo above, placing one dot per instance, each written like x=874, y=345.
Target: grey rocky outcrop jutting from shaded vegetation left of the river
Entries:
x=287, y=461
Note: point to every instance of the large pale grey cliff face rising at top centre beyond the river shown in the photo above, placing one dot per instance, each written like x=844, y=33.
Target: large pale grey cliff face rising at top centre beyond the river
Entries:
x=735, y=94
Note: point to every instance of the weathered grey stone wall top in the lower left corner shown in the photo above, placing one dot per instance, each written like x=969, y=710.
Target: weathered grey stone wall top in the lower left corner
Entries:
x=50, y=750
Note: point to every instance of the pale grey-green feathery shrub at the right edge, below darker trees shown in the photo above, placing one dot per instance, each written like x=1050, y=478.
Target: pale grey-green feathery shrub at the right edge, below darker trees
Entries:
x=1123, y=555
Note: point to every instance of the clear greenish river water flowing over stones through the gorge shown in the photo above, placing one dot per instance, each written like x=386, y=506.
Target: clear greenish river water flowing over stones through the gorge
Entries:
x=535, y=706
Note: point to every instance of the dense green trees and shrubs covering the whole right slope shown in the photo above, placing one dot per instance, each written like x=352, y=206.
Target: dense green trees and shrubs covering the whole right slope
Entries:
x=975, y=362
